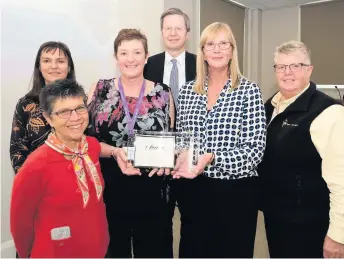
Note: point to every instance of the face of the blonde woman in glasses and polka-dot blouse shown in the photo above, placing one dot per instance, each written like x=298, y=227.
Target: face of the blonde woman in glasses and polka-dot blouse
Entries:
x=219, y=57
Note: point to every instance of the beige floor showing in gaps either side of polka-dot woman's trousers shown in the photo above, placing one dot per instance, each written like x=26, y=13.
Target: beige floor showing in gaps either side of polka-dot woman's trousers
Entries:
x=260, y=249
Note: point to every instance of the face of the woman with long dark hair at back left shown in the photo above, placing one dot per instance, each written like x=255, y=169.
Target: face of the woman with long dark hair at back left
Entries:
x=53, y=65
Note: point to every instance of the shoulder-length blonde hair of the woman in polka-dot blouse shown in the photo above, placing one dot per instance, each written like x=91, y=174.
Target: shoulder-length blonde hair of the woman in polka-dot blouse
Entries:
x=202, y=66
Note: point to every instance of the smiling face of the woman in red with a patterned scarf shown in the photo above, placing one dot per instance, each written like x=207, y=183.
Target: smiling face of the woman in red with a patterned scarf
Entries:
x=69, y=129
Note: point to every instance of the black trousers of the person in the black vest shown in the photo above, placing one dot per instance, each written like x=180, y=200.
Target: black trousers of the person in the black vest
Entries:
x=295, y=240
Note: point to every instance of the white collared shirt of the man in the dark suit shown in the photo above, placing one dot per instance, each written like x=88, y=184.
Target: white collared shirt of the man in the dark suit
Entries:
x=168, y=68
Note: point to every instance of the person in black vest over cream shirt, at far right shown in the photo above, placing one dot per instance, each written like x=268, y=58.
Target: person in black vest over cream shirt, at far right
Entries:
x=303, y=163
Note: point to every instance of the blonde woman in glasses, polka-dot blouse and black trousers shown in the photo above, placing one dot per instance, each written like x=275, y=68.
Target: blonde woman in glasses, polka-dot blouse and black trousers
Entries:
x=219, y=206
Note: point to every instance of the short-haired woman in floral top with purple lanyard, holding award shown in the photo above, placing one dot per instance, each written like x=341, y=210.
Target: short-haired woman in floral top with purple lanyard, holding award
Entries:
x=137, y=200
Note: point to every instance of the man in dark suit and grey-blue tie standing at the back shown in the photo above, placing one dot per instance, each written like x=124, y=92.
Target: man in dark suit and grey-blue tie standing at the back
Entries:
x=175, y=61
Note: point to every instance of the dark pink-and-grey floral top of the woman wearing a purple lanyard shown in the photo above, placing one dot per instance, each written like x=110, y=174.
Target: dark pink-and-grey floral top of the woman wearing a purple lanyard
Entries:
x=108, y=122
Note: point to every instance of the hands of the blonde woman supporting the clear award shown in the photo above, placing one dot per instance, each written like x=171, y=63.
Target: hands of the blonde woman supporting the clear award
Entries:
x=181, y=170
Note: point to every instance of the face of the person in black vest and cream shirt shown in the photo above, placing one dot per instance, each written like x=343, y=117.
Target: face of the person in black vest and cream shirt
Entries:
x=292, y=82
